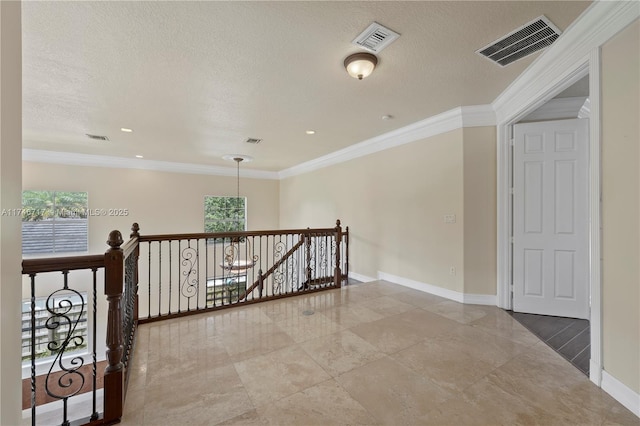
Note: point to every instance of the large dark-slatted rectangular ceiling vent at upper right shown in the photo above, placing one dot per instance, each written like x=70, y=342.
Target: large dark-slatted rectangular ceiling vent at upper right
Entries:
x=521, y=42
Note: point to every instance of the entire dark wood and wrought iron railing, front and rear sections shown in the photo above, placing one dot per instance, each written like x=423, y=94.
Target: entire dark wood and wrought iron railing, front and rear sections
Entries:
x=151, y=278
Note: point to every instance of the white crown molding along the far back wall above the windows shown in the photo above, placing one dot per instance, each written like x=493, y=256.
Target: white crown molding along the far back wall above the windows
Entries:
x=76, y=159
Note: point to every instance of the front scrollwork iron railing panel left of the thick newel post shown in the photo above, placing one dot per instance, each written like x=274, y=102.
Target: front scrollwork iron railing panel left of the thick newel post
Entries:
x=62, y=312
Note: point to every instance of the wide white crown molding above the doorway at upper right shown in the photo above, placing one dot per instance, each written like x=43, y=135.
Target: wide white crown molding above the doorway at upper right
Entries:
x=601, y=21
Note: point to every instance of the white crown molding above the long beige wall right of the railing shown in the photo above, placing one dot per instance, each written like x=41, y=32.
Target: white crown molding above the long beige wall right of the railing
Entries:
x=457, y=118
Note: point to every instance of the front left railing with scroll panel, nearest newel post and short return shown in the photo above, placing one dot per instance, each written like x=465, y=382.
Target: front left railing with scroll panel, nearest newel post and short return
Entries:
x=70, y=358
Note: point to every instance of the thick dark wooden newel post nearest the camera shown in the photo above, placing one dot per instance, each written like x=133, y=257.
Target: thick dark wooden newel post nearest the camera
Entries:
x=114, y=373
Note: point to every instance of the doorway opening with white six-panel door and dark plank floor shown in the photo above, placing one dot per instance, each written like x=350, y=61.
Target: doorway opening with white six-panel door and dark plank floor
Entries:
x=550, y=250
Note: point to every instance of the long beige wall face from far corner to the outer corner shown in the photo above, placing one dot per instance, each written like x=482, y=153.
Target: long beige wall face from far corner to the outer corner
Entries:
x=394, y=202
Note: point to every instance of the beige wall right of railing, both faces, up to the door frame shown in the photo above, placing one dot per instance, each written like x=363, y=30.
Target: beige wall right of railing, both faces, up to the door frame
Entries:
x=395, y=202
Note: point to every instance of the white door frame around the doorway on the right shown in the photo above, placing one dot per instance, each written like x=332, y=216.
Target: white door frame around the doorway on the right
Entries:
x=591, y=66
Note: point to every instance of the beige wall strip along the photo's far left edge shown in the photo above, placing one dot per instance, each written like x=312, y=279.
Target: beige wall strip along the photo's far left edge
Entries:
x=10, y=231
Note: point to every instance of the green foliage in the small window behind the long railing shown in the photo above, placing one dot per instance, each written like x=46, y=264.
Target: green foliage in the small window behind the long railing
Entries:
x=224, y=214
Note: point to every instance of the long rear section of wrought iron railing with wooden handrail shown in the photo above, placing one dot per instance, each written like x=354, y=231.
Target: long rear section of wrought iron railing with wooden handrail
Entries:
x=182, y=274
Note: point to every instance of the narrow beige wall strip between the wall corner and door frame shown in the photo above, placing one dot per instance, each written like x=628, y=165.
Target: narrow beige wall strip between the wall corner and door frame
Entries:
x=480, y=210
